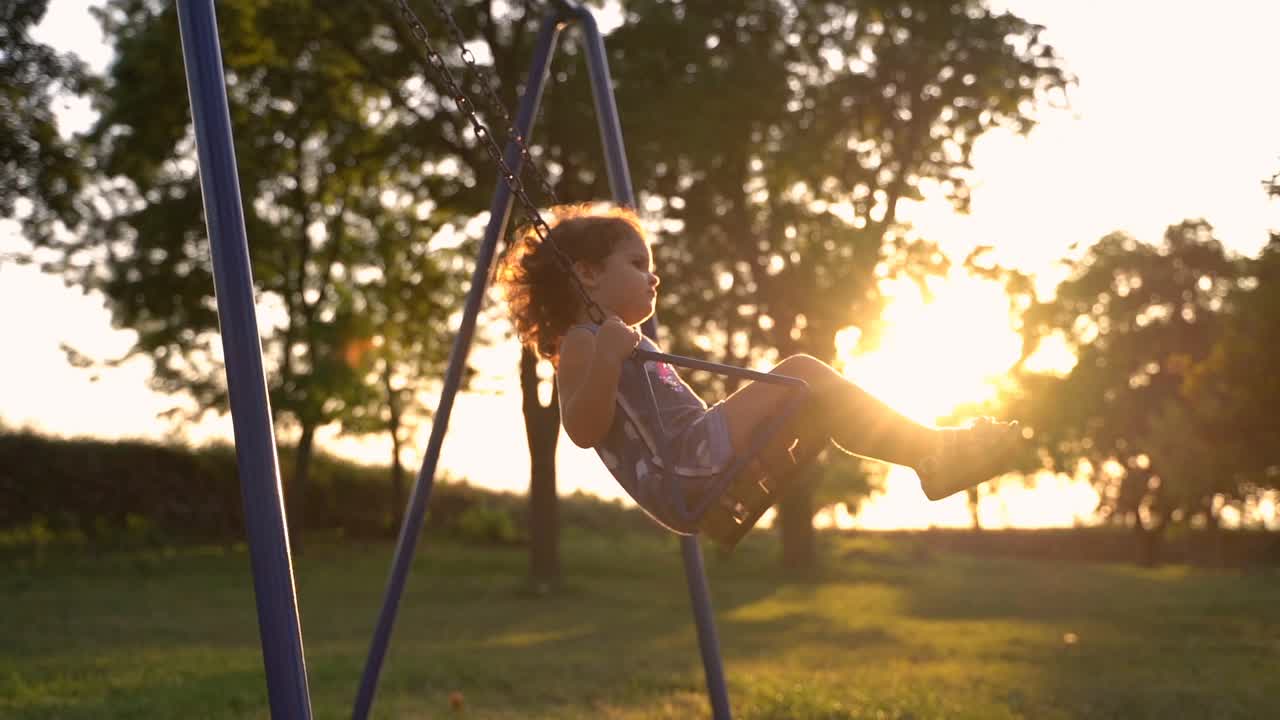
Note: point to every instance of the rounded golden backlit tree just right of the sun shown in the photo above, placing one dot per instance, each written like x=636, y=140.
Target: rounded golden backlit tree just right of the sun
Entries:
x=1139, y=317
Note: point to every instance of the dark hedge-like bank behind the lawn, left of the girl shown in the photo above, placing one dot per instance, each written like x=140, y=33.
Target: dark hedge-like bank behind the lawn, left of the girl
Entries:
x=131, y=493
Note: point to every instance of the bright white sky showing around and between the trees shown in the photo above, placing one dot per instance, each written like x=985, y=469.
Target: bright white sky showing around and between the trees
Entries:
x=1174, y=117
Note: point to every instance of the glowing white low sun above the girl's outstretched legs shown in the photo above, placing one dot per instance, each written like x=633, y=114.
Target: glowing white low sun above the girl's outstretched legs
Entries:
x=936, y=354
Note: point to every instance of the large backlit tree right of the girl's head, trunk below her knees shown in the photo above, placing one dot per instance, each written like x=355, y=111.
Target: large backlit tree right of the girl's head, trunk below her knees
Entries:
x=779, y=142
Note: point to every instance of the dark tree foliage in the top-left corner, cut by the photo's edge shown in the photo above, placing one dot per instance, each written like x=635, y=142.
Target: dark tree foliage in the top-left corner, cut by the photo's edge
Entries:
x=36, y=163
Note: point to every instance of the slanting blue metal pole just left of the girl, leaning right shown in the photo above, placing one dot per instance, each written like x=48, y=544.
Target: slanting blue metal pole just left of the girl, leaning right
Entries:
x=500, y=213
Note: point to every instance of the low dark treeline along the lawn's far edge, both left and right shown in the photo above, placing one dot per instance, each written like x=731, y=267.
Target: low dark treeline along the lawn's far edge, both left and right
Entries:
x=121, y=494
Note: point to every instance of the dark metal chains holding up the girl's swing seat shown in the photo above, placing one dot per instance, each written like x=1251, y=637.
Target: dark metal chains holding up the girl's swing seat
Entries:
x=509, y=176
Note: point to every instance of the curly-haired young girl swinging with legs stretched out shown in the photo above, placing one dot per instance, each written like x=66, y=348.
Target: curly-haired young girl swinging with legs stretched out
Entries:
x=620, y=407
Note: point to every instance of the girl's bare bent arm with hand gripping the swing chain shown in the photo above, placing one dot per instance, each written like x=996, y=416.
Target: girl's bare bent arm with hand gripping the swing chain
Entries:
x=588, y=375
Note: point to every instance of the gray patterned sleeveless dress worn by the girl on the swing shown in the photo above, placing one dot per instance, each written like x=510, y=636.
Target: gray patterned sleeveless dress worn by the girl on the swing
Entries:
x=701, y=448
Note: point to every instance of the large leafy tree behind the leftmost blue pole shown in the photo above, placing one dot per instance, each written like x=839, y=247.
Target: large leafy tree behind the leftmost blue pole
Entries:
x=342, y=171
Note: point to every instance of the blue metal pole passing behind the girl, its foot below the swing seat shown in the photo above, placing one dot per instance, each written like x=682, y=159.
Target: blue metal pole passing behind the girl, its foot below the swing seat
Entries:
x=620, y=184
